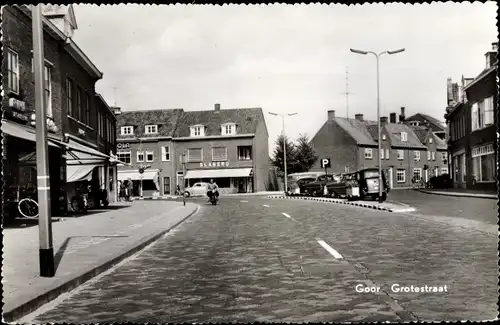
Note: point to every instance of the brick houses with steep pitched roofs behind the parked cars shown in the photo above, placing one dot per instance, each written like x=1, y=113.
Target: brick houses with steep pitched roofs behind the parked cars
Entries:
x=352, y=144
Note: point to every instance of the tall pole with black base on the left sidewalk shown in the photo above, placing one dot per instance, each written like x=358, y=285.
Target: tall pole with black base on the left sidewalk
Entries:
x=46, y=250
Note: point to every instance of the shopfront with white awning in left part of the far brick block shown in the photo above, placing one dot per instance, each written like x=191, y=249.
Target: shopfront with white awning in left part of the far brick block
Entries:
x=146, y=184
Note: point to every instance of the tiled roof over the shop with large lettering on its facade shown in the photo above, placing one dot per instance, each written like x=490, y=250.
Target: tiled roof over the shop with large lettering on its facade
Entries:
x=246, y=120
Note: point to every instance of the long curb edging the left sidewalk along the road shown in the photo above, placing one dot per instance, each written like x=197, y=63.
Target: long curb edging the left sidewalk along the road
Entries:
x=44, y=298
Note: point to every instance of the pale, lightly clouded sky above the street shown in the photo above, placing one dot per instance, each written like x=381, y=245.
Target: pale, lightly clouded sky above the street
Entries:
x=285, y=58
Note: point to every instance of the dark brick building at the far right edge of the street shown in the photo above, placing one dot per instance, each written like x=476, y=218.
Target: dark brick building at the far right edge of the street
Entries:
x=472, y=118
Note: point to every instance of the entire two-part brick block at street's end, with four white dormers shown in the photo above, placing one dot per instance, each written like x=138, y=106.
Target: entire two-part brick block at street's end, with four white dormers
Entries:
x=230, y=146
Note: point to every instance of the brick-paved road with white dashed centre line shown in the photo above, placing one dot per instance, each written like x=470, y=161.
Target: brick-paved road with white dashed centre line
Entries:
x=257, y=259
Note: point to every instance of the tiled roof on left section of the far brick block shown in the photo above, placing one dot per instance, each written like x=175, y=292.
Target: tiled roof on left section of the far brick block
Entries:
x=166, y=119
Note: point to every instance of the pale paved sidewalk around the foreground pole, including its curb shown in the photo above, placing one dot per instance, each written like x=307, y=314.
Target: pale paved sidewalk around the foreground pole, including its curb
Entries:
x=83, y=247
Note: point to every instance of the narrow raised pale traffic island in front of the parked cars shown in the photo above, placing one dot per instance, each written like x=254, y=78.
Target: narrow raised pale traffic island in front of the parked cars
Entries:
x=386, y=206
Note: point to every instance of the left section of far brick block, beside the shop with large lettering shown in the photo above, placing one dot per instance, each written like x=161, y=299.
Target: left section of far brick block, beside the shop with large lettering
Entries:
x=145, y=138
